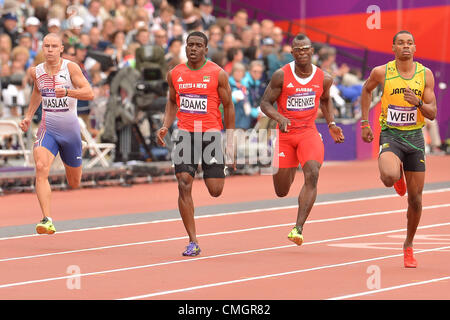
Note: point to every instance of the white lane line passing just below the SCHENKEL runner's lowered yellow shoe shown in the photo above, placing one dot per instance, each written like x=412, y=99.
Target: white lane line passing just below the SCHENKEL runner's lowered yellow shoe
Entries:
x=8, y=285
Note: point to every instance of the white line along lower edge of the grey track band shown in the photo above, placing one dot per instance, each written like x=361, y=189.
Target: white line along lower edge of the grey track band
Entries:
x=227, y=214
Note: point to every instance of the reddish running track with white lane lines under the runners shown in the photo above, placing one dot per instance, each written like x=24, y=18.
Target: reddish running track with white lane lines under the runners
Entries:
x=126, y=243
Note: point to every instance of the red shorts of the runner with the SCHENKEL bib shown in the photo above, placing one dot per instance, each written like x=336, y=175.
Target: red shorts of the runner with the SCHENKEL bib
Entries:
x=298, y=148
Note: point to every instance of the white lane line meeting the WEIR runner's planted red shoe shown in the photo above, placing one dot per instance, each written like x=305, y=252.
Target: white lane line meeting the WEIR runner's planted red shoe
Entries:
x=217, y=284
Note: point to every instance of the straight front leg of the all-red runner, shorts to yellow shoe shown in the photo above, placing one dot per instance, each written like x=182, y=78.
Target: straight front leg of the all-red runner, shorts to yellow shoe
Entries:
x=308, y=193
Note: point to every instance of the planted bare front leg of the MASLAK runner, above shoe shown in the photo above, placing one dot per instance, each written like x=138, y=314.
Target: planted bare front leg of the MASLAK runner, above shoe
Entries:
x=43, y=159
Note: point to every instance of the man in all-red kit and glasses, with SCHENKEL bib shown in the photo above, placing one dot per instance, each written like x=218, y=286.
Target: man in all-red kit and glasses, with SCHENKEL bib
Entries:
x=299, y=88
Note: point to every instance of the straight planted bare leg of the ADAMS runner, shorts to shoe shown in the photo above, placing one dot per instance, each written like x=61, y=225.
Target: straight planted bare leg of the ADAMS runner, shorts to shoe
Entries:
x=186, y=204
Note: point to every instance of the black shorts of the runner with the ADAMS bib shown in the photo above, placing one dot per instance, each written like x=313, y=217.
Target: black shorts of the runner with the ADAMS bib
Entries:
x=199, y=147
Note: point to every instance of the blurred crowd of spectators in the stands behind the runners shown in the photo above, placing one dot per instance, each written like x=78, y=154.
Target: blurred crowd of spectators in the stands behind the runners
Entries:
x=249, y=51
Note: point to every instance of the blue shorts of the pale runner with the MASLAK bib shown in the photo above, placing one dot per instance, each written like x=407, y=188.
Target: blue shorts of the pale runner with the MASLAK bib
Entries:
x=68, y=145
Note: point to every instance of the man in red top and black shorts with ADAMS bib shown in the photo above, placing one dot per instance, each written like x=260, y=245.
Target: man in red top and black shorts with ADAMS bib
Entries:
x=196, y=89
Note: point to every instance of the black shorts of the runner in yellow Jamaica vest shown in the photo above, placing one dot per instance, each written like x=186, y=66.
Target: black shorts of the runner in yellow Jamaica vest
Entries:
x=409, y=146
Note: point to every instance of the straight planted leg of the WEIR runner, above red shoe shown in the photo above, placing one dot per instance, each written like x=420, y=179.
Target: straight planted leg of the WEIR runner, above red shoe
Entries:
x=414, y=181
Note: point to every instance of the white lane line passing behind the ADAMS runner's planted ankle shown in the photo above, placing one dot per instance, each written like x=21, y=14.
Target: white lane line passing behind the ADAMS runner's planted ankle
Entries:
x=215, y=233
